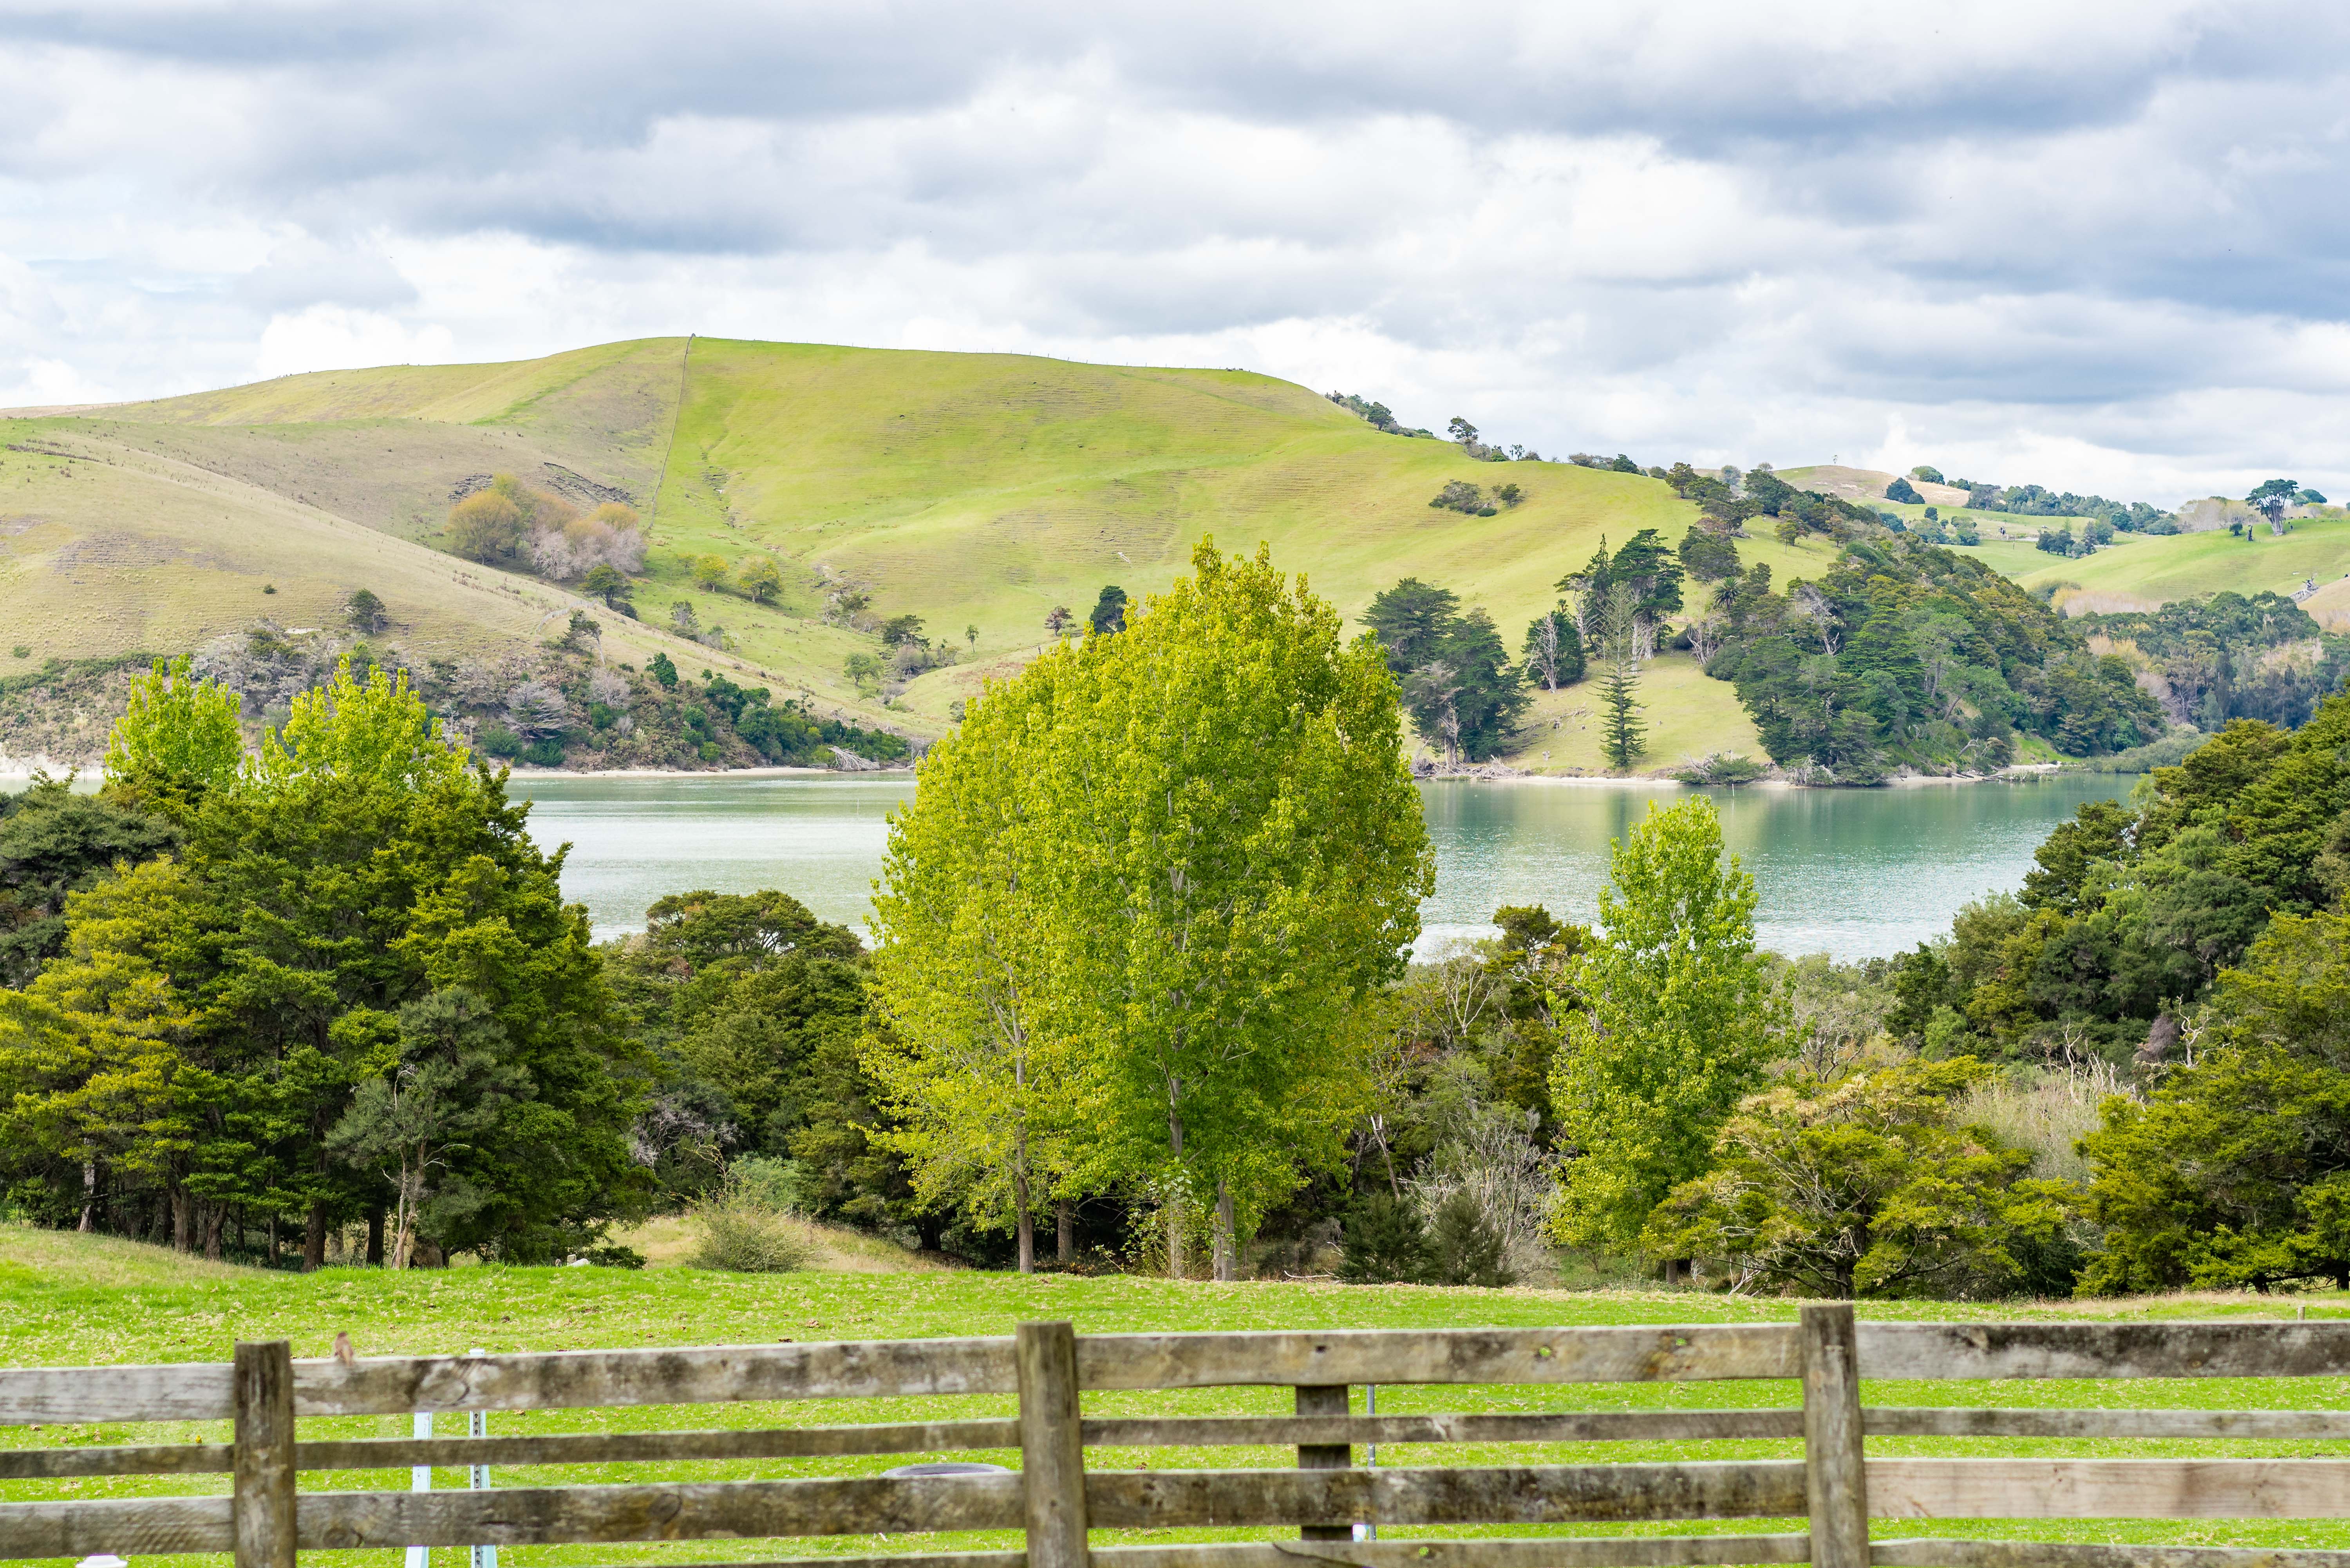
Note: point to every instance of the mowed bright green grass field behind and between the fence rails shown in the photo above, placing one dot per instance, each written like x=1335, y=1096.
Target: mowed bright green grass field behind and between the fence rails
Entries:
x=95, y=1301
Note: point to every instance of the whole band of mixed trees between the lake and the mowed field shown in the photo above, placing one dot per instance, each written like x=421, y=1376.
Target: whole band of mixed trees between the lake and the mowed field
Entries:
x=1146, y=979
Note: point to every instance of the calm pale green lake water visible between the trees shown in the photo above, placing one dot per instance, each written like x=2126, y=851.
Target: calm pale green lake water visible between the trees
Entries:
x=1853, y=873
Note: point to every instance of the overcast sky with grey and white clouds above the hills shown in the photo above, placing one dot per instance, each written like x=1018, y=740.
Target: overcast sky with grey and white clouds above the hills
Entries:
x=2076, y=243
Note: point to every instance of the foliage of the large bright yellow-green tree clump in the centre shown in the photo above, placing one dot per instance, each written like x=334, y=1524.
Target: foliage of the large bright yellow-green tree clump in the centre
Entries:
x=1139, y=911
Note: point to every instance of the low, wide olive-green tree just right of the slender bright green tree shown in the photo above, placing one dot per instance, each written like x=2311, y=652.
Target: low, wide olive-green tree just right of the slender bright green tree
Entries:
x=1862, y=1186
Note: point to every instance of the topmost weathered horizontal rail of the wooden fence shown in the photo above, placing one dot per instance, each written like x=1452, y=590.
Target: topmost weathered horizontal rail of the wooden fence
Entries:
x=899, y=1369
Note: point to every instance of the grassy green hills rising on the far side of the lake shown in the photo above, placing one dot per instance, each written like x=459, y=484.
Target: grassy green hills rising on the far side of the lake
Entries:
x=976, y=492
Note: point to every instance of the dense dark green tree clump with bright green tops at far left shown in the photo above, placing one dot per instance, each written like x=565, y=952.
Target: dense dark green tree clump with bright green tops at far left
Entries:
x=354, y=989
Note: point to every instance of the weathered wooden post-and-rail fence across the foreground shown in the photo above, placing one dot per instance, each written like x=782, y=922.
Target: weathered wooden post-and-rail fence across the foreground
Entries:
x=1056, y=1501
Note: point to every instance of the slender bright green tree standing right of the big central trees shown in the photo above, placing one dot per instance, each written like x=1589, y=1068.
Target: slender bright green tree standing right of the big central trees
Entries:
x=1674, y=1026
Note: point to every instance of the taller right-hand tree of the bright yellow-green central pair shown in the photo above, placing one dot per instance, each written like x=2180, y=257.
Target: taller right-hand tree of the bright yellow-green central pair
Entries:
x=1228, y=857
